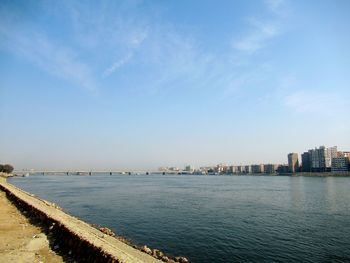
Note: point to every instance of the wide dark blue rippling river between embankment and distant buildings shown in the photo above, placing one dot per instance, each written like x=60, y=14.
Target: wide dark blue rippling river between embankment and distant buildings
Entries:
x=213, y=218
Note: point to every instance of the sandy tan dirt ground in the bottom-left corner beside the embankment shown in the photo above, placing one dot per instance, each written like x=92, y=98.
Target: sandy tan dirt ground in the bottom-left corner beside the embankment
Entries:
x=21, y=241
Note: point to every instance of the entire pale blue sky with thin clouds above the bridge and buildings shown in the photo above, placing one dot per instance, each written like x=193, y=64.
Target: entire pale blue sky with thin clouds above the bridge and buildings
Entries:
x=100, y=85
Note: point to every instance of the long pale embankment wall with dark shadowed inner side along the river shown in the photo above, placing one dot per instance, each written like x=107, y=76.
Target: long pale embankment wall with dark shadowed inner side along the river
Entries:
x=79, y=239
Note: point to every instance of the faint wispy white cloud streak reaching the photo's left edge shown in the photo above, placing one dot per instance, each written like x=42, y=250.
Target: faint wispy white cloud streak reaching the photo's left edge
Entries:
x=55, y=59
